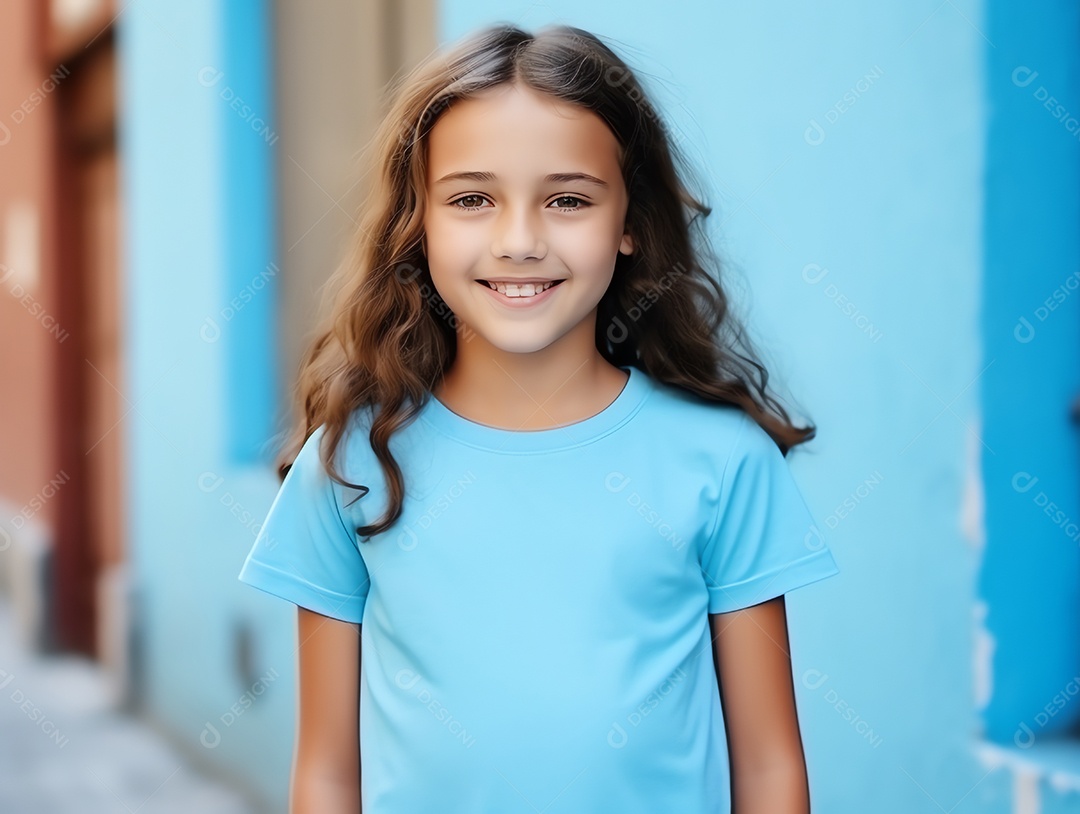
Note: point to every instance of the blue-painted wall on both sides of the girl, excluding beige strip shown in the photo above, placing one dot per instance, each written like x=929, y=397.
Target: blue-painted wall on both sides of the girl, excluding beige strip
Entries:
x=889, y=202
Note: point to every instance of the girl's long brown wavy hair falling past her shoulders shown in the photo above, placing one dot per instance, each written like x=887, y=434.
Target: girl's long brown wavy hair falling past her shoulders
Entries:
x=387, y=337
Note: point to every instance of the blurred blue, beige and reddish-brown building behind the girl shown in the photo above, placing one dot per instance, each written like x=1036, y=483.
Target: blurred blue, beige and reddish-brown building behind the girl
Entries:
x=896, y=193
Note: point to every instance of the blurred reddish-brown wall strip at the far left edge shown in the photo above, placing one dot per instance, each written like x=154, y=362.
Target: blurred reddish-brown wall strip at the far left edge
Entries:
x=32, y=332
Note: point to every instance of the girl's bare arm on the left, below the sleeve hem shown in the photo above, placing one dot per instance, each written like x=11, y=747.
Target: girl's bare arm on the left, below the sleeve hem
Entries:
x=327, y=758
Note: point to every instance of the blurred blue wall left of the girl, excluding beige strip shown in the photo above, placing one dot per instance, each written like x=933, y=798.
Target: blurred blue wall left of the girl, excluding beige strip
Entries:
x=198, y=156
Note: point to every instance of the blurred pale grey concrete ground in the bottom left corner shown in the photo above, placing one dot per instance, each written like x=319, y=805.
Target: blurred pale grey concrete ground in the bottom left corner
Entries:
x=64, y=750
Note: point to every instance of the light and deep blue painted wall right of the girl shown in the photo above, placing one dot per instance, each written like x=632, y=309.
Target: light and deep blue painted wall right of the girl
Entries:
x=846, y=152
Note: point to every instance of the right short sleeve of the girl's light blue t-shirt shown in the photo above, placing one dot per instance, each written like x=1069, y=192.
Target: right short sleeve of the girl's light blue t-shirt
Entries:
x=765, y=540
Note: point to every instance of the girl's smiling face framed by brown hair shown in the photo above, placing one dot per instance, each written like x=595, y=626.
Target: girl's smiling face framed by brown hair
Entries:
x=523, y=187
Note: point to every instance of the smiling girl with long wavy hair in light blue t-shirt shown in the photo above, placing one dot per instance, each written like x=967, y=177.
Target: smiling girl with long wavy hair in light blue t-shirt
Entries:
x=538, y=482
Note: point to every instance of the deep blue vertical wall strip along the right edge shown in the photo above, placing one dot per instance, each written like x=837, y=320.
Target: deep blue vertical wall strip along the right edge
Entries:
x=1032, y=335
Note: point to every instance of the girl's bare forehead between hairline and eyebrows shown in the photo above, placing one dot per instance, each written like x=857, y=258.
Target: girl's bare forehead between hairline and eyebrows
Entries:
x=511, y=131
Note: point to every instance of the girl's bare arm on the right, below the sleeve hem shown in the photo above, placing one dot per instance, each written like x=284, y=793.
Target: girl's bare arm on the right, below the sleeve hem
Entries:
x=754, y=671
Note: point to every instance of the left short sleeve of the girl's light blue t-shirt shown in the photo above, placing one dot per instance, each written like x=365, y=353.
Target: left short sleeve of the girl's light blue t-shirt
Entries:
x=306, y=551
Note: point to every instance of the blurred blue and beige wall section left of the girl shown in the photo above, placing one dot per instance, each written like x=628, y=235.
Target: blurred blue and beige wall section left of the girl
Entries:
x=222, y=269
